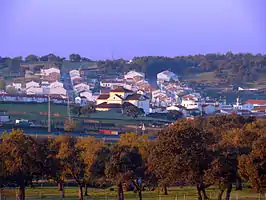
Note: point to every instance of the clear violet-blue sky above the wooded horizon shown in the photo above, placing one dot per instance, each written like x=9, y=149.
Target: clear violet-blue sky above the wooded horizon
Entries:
x=102, y=29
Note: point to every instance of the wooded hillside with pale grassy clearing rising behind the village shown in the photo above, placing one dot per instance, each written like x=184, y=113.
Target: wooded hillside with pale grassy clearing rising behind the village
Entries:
x=229, y=68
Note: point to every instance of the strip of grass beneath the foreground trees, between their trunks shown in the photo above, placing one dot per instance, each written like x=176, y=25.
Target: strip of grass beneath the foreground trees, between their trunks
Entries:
x=175, y=193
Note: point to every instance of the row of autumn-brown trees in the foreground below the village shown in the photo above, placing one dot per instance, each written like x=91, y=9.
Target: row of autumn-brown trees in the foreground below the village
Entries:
x=221, y=150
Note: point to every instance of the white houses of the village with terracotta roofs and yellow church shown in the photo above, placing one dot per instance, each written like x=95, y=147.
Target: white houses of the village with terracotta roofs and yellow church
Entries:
x=170, y=94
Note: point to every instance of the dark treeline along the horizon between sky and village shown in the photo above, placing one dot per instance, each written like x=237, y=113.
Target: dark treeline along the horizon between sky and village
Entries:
x=229, y=68
